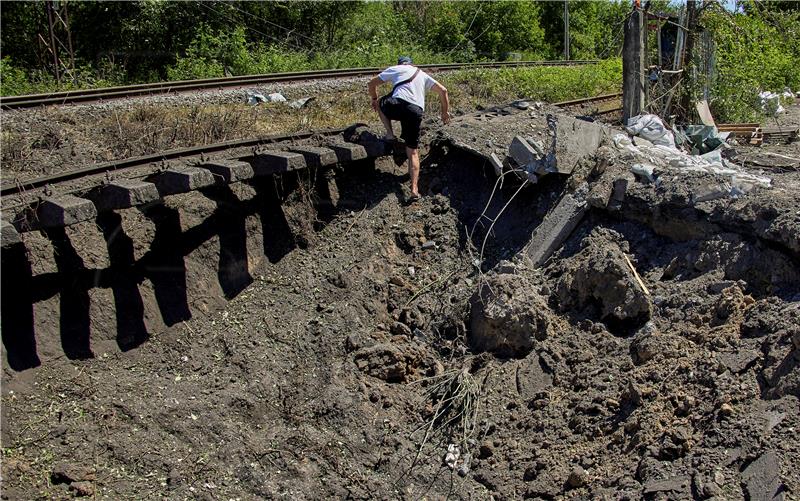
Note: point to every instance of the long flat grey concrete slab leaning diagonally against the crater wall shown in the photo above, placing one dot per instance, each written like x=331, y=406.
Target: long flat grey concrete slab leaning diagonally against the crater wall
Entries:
x=556, y=227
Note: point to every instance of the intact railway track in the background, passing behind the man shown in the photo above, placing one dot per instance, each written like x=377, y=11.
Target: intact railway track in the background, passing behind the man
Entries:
x=91, y=95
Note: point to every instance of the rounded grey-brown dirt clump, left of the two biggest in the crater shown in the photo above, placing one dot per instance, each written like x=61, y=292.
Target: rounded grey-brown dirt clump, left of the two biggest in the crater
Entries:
x=508, y=315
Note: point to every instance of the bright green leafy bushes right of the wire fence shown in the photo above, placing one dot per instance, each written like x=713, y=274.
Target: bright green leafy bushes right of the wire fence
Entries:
x=753, y=53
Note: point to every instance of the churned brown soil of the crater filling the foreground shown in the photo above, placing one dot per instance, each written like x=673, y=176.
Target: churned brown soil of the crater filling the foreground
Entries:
x=655, y=355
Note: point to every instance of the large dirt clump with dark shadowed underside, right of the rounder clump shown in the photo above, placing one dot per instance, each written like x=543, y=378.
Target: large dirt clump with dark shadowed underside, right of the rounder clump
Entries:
x=600, y=282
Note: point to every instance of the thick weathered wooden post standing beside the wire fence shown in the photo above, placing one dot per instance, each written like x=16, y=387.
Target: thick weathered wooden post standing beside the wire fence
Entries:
x=633, y=90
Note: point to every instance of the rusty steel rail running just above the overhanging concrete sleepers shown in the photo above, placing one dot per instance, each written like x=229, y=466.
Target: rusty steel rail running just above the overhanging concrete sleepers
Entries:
x=132, y=162
